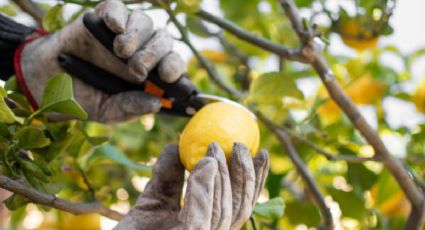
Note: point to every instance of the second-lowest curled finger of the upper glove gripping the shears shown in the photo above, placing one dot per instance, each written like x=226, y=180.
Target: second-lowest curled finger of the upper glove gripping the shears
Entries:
x=148, y=57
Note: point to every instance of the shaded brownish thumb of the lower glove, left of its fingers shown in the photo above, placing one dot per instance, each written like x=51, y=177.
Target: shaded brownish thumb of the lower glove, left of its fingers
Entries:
x=161, y=197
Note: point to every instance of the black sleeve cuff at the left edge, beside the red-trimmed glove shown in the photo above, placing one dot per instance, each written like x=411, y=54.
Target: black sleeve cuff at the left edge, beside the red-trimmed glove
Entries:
x=12, y=35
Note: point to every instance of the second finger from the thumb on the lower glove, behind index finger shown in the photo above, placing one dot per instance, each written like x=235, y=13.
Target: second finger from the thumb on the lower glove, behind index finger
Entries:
x=222, y=207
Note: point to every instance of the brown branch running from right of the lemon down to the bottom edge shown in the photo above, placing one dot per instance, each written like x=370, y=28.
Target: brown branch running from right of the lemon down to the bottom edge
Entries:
x=302, y=170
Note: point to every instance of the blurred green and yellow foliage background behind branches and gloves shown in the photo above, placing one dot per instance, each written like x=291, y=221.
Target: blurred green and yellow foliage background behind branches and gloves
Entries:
x=87, y=161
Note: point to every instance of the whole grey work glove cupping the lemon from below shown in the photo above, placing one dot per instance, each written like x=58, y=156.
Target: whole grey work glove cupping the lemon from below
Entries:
x=217, y=196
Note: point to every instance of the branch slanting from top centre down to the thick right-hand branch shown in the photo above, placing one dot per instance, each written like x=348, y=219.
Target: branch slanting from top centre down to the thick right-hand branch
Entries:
x=291, y=54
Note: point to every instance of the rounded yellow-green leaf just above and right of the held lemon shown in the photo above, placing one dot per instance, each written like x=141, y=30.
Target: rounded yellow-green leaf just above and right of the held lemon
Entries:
x=271, y=88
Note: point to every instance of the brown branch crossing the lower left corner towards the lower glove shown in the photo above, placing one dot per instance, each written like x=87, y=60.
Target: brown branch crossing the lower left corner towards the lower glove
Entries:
x=38, y=197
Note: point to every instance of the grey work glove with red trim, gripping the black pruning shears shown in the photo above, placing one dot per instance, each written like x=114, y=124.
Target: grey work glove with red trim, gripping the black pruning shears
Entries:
x=136, y=41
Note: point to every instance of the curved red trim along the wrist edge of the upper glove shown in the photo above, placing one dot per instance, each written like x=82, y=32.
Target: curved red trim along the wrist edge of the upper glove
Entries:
x=18, y=69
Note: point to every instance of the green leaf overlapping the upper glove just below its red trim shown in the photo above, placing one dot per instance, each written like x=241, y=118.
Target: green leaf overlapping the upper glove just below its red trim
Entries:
x=58, y=97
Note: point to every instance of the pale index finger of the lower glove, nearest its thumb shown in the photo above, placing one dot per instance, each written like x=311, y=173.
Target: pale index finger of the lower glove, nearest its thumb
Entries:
x=198, y=201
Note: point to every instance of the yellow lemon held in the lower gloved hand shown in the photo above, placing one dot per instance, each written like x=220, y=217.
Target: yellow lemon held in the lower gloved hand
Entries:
x=219, y=122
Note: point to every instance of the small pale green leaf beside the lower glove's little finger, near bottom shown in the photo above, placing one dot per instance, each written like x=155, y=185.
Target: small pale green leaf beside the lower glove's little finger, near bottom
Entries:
x=272, y=209
